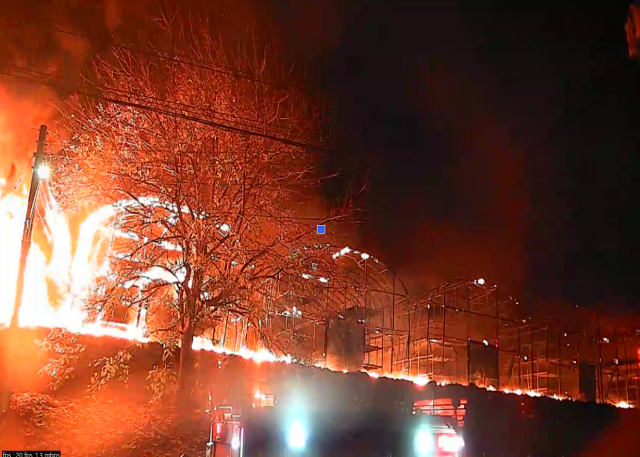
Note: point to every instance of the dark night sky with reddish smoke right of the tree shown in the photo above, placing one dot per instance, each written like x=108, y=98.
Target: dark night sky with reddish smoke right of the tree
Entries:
x=502, y=138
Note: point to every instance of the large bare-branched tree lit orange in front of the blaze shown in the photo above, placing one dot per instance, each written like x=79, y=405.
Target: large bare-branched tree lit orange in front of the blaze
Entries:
x=206, y=217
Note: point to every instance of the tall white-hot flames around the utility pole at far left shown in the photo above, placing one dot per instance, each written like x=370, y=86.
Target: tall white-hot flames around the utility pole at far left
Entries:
x=70, y=272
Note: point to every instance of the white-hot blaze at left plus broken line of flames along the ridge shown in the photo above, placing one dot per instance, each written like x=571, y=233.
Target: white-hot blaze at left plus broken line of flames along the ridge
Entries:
x=60, y=271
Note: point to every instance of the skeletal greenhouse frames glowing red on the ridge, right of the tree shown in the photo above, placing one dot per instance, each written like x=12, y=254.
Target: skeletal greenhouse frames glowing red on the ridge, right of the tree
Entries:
x=463, y=331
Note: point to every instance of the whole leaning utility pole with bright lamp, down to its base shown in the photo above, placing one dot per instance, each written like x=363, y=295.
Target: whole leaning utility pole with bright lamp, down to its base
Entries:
x=40, y=171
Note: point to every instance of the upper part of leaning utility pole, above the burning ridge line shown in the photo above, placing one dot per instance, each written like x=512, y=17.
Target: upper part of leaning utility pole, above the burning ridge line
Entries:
x=36, y=176
